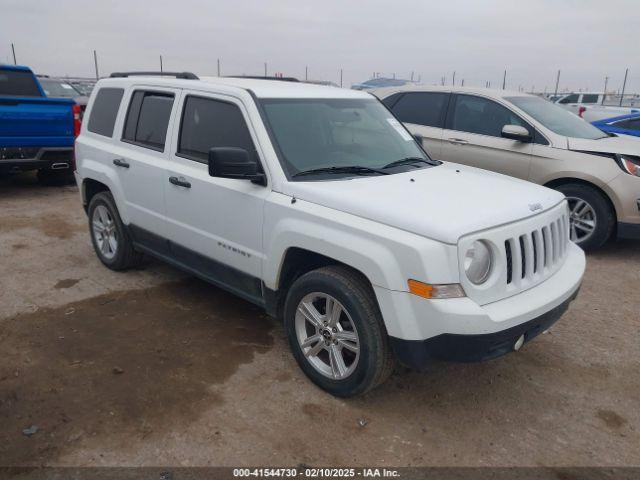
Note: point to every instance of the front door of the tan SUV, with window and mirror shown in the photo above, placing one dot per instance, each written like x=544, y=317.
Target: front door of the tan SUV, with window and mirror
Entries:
x=473, y=136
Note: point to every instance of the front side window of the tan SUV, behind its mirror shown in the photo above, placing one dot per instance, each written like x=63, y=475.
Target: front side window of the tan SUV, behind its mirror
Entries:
x=482, y=116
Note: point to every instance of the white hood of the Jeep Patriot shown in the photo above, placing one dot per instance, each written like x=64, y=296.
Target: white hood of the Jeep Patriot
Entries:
x=443, y=203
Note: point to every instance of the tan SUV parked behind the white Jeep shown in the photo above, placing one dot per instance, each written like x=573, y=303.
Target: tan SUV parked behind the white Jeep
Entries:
x=528, y=137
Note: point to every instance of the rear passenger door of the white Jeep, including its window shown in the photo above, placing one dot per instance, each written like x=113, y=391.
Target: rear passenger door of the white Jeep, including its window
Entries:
x=142, y=157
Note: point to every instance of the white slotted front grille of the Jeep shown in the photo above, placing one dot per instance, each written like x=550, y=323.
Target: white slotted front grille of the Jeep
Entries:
x=531, y=253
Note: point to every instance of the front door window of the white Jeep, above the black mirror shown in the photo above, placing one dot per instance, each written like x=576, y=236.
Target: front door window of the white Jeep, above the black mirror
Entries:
x=208, y=123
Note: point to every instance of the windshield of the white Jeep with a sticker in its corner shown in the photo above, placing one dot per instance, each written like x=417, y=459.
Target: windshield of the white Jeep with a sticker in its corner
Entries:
x=323, y=133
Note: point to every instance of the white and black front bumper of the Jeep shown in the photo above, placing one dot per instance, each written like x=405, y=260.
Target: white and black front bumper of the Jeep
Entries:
x=460, y=328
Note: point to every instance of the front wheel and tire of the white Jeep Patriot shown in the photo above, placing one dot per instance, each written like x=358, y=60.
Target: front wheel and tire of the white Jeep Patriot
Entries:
x=373, y=362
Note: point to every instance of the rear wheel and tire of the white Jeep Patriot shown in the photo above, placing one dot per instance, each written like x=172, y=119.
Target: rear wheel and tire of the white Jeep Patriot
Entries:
x=118, y=255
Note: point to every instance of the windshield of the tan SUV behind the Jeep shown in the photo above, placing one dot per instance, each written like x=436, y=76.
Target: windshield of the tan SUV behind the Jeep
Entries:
x=556, y=118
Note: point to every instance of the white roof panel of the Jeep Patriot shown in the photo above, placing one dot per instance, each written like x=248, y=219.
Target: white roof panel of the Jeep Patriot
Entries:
x=260, y=88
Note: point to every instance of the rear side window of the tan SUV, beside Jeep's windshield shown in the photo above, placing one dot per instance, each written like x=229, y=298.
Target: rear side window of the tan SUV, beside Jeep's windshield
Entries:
x=422, y=108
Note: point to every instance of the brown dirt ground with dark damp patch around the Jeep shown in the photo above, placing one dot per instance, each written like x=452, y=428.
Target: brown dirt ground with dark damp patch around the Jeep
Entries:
x=152, y=367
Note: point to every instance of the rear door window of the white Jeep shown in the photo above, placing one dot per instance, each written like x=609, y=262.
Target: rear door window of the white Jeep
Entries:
x=148, y=119
